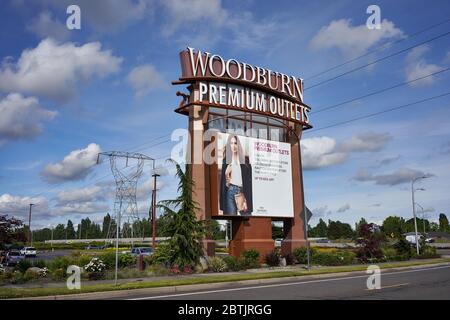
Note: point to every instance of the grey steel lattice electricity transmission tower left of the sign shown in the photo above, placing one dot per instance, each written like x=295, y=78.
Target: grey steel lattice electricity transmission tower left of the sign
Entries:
x=126, y=168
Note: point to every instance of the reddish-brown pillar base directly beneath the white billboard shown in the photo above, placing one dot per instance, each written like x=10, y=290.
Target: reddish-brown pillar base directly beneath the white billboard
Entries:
x=252, y=233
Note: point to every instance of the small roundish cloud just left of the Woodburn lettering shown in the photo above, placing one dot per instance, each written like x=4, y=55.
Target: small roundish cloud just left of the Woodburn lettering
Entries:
x=144, y=79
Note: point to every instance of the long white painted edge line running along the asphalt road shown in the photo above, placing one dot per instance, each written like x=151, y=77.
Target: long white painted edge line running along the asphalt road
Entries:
x=281, y=284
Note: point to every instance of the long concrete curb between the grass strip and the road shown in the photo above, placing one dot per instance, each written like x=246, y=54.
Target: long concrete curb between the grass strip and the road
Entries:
x=214, y=285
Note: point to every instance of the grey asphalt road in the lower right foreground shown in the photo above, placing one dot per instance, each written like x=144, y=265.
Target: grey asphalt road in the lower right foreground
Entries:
x=417, y=283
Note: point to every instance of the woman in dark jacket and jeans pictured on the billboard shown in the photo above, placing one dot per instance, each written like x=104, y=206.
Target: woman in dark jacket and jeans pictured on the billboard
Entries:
x=235, y=180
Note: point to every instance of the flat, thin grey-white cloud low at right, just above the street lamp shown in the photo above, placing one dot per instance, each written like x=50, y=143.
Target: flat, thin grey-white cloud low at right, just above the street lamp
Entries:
x=400, y=176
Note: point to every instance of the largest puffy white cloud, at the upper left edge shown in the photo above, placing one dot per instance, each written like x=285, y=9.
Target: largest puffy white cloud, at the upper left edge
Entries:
x=54, y=70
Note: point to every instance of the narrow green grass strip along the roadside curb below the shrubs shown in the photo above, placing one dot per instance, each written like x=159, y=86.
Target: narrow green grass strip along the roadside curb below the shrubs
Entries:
x=8, y=293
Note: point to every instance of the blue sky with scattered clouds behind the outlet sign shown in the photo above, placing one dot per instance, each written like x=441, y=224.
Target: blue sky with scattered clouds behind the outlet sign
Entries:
x=66, y=95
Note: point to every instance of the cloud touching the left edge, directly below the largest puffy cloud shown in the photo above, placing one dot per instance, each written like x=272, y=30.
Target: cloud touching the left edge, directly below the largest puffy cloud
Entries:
x=21, y=118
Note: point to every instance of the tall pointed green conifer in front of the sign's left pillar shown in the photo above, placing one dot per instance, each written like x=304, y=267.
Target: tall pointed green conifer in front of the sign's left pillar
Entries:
x=186, y=231
